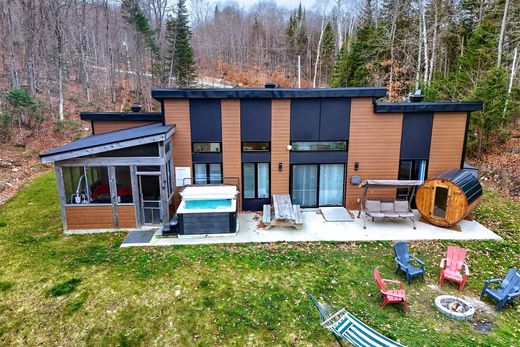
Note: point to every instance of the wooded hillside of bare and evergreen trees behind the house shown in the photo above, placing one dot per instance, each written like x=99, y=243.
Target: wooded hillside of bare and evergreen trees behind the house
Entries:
x=61, y=57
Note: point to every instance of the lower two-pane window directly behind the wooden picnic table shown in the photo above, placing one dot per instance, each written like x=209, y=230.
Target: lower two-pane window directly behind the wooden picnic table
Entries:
x=256, y=180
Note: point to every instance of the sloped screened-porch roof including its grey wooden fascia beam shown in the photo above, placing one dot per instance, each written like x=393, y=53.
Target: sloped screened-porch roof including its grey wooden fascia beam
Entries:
x=109, y=141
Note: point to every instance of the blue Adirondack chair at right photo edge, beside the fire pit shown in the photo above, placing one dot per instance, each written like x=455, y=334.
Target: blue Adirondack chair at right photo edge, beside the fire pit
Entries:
x=508, y=290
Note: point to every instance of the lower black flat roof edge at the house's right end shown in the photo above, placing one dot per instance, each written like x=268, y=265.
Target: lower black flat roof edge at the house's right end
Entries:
x=449, y=106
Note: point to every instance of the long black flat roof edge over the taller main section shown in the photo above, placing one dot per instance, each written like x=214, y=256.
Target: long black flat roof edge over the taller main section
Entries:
x=267, y=93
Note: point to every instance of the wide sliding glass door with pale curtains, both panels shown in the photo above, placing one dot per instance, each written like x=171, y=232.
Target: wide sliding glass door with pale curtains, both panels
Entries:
x=318, y=185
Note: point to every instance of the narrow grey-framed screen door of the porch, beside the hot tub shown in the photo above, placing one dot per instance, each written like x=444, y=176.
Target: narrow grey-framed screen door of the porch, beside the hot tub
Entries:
x=151, y=204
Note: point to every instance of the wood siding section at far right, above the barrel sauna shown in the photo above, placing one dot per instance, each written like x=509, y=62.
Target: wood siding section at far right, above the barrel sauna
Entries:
x=447, y=142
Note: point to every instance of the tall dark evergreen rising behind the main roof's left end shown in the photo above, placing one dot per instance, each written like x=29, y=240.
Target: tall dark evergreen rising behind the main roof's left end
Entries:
x=183, y=68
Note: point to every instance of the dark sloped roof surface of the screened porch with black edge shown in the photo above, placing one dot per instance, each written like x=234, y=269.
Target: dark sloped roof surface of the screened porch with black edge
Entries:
x=110, y=138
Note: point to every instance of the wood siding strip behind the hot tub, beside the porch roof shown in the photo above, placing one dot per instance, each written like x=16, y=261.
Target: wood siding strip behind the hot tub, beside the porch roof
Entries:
x=177, y=112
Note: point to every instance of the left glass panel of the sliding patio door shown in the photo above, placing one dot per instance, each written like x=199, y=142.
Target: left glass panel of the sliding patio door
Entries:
x=305, y=185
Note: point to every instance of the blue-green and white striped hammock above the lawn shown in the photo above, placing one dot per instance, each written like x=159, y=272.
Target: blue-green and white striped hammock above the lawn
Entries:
x=344, y=325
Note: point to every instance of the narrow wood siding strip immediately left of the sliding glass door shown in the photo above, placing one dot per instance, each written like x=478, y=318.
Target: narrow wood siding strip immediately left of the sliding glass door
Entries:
x=280, y=138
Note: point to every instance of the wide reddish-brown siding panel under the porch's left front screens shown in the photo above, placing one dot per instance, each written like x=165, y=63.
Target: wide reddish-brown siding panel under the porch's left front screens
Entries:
x=89, y=217
